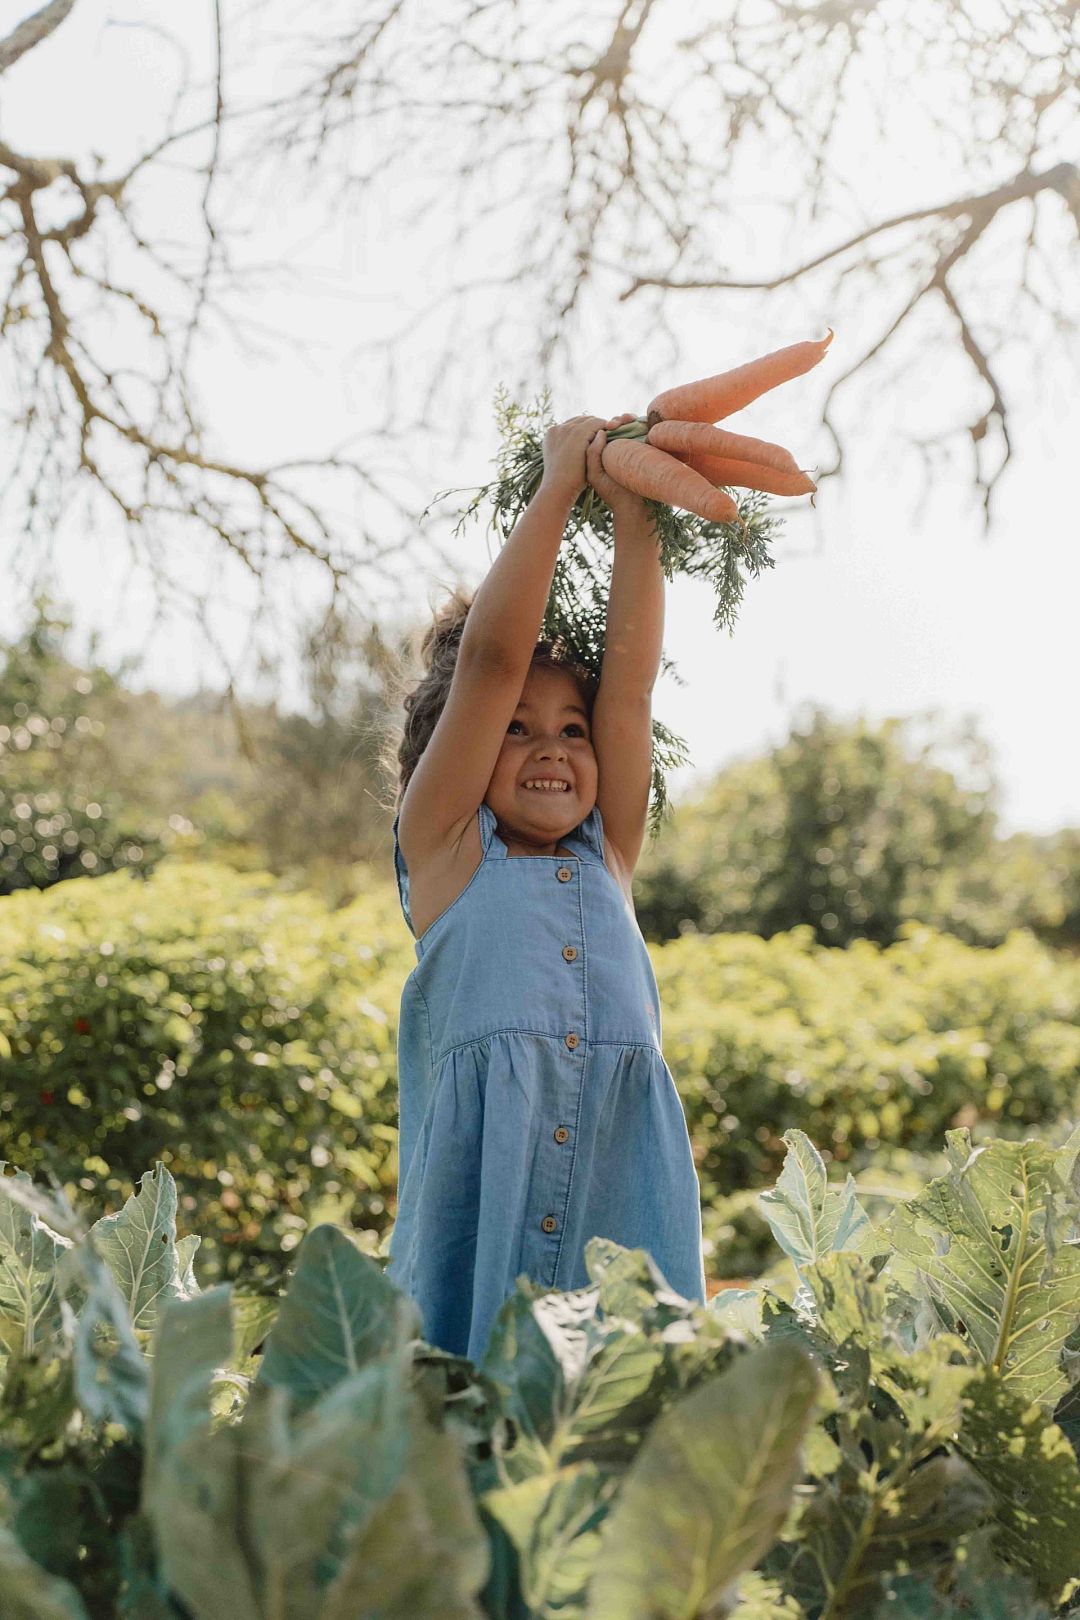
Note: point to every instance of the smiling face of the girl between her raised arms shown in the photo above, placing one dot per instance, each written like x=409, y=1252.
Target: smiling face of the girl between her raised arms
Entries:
x=548, y=738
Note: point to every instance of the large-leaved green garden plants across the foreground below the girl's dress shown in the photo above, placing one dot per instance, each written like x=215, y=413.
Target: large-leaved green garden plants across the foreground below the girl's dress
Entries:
x=898, y=1439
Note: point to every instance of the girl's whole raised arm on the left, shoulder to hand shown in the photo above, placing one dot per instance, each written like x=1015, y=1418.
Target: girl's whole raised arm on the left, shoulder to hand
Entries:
x=495, y=655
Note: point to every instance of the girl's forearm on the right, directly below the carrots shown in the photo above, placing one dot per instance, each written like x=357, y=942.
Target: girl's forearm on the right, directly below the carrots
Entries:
x=634, y=637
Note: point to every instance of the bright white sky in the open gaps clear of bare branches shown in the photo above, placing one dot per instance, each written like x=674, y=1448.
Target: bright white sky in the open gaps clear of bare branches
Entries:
x=880, y=605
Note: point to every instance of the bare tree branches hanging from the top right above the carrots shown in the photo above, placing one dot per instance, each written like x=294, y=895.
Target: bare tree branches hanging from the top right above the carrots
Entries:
x=631, y=148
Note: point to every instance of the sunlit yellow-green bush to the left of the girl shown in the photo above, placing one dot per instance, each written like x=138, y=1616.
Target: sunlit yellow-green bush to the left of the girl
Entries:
x=213, y=1020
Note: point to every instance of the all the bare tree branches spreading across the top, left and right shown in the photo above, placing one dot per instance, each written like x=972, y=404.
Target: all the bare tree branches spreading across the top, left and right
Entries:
x=603, y=164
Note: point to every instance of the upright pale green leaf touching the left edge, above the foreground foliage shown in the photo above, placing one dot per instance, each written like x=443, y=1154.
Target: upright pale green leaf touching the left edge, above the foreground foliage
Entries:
x=30, y=1302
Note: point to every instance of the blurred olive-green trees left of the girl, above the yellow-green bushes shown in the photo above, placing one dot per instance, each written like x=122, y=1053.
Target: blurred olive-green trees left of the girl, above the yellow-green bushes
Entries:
x=96, y=775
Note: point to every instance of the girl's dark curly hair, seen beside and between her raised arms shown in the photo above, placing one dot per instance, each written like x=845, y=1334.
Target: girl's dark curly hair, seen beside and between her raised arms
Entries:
x=425, y=699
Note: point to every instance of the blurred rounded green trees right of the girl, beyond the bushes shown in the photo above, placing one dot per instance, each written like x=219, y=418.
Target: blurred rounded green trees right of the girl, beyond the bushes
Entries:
x=857, y=829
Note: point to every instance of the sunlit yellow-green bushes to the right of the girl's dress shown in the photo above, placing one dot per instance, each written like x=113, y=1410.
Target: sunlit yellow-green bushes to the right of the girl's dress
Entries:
x=869, y=1051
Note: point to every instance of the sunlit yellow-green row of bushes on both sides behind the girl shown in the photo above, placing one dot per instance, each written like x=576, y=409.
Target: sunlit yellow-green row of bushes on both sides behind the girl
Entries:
x=247, y=1038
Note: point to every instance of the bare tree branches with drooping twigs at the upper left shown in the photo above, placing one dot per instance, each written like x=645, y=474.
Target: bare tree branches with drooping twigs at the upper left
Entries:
x=134, y=433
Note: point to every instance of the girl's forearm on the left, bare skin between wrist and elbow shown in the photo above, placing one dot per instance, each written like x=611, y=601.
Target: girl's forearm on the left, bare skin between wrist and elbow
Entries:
x=508, y=612
